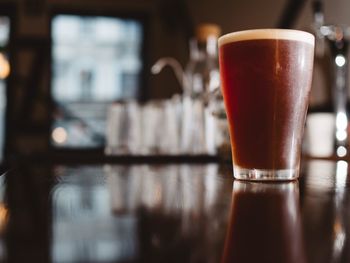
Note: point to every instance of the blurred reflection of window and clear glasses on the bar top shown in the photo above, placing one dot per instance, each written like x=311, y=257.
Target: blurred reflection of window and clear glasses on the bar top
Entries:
x=140, y=214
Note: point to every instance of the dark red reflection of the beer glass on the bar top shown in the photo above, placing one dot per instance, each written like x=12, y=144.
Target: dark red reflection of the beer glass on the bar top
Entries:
x=265, y=224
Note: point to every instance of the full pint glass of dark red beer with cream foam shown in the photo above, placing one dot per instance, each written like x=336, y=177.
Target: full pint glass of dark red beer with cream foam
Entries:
x=266, y=80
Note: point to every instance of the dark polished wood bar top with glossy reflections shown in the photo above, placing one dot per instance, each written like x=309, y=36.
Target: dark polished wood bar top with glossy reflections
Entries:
x=172, y=213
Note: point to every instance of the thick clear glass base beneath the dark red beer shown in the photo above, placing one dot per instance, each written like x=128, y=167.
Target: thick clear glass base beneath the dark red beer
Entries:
x=265, y=175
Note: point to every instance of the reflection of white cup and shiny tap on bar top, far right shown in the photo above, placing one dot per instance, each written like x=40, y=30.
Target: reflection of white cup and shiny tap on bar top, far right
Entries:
x=326, y=228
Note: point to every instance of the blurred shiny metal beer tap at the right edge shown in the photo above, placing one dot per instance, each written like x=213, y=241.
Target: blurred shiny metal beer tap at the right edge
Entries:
x=337, y=38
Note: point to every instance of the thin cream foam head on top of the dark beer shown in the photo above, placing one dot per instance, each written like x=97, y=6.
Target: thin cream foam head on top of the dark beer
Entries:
x=255, y=34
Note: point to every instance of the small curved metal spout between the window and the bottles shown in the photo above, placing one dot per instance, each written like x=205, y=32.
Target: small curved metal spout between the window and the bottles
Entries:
x=176, y=67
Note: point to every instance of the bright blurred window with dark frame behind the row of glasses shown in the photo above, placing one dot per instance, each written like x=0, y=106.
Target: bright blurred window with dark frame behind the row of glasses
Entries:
x=95, y=61
